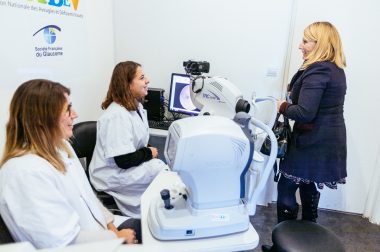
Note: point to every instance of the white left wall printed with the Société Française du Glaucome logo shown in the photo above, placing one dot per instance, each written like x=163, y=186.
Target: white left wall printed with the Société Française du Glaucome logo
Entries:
x=86, y=63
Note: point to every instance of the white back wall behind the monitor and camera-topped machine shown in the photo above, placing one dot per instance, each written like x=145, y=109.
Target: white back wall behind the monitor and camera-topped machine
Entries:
x=245, y=41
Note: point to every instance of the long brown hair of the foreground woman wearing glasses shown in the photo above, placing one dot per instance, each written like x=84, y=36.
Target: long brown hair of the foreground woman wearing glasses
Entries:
x=33, y=125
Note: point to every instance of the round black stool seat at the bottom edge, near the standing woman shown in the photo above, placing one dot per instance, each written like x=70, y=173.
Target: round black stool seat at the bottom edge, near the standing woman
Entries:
x=301, y=235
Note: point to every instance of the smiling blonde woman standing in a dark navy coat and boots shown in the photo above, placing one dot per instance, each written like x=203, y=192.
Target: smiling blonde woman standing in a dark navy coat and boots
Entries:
x=317, y=153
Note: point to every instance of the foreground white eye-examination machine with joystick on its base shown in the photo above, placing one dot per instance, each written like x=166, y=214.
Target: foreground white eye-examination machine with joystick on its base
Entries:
x=210, y=154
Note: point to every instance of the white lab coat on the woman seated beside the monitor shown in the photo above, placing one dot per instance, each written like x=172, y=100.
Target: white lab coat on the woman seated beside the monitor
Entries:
x=120, y=132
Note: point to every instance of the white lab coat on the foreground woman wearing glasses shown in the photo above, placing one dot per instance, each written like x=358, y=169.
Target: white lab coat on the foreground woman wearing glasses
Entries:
x=49, y=208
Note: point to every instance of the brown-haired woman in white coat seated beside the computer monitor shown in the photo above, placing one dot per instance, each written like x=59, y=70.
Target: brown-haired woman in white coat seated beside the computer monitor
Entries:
x=123, y=165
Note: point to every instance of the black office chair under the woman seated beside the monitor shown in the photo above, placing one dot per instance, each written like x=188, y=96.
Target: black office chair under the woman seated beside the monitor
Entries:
x=83, y=142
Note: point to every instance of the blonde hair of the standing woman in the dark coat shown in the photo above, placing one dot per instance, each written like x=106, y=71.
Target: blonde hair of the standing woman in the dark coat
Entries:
x=328, y=45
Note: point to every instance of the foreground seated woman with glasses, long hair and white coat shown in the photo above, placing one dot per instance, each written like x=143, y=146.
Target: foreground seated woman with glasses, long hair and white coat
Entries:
x=45, y=196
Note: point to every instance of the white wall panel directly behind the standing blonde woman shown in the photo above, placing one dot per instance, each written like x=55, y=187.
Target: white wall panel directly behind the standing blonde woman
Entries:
x=358, y=24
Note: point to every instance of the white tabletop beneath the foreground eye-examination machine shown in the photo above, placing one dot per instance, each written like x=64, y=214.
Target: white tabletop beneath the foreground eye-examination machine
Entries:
x=235, y=242
